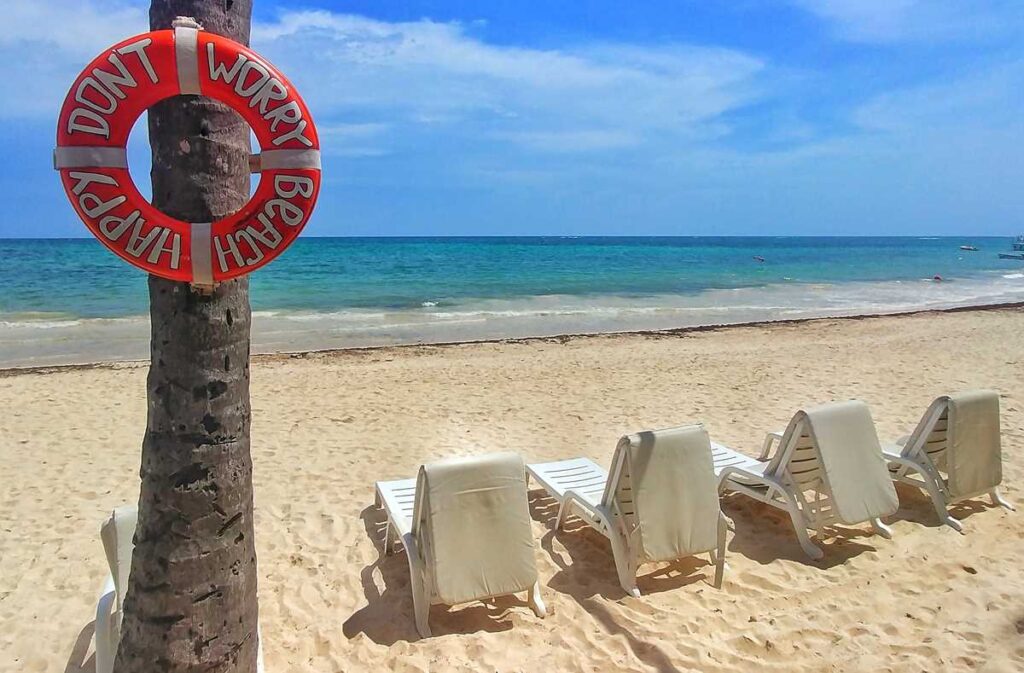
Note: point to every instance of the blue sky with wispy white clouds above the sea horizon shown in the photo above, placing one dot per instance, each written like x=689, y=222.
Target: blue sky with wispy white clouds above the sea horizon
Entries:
x=599, y=117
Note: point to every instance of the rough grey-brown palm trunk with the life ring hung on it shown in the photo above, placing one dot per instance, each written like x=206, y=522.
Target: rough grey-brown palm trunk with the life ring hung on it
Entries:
x=192, y=598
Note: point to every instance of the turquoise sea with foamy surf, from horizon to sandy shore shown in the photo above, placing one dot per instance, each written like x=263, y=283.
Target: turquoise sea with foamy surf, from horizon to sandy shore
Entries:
x=71, y=301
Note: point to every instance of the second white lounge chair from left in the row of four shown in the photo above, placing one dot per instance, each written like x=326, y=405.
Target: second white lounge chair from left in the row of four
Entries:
x=659, y=503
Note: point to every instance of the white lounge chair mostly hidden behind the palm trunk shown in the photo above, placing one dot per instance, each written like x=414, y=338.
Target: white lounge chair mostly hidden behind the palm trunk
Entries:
x=118, y=534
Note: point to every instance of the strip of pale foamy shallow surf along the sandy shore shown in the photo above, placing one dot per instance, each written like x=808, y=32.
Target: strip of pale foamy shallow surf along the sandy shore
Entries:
x=55, y=339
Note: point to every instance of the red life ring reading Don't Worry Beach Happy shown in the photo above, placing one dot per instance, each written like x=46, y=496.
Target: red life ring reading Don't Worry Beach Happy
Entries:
x=118, y=87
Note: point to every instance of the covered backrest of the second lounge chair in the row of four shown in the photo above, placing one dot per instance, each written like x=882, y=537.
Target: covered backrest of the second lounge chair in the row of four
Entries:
x=664, y=489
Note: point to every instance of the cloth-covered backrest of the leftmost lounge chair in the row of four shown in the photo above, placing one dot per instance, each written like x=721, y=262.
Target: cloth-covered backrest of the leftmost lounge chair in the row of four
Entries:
x=472, y=520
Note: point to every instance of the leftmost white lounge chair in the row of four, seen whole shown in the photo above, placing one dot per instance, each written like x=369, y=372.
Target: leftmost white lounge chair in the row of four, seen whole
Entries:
x=466, y=529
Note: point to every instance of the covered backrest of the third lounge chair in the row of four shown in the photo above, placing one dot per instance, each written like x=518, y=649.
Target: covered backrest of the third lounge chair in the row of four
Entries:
x=850, y=462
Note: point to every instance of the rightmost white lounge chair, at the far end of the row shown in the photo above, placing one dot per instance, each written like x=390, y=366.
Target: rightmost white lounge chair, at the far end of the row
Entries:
x=955, y=453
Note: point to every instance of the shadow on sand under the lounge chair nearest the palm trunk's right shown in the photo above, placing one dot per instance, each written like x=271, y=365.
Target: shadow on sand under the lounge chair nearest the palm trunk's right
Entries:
x=388, y=617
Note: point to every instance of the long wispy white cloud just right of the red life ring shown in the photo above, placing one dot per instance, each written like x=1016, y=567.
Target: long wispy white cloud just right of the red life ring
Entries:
x=433, y=74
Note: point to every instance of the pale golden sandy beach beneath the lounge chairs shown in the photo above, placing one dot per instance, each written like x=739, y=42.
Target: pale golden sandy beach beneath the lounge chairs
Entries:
x=326, y=427
